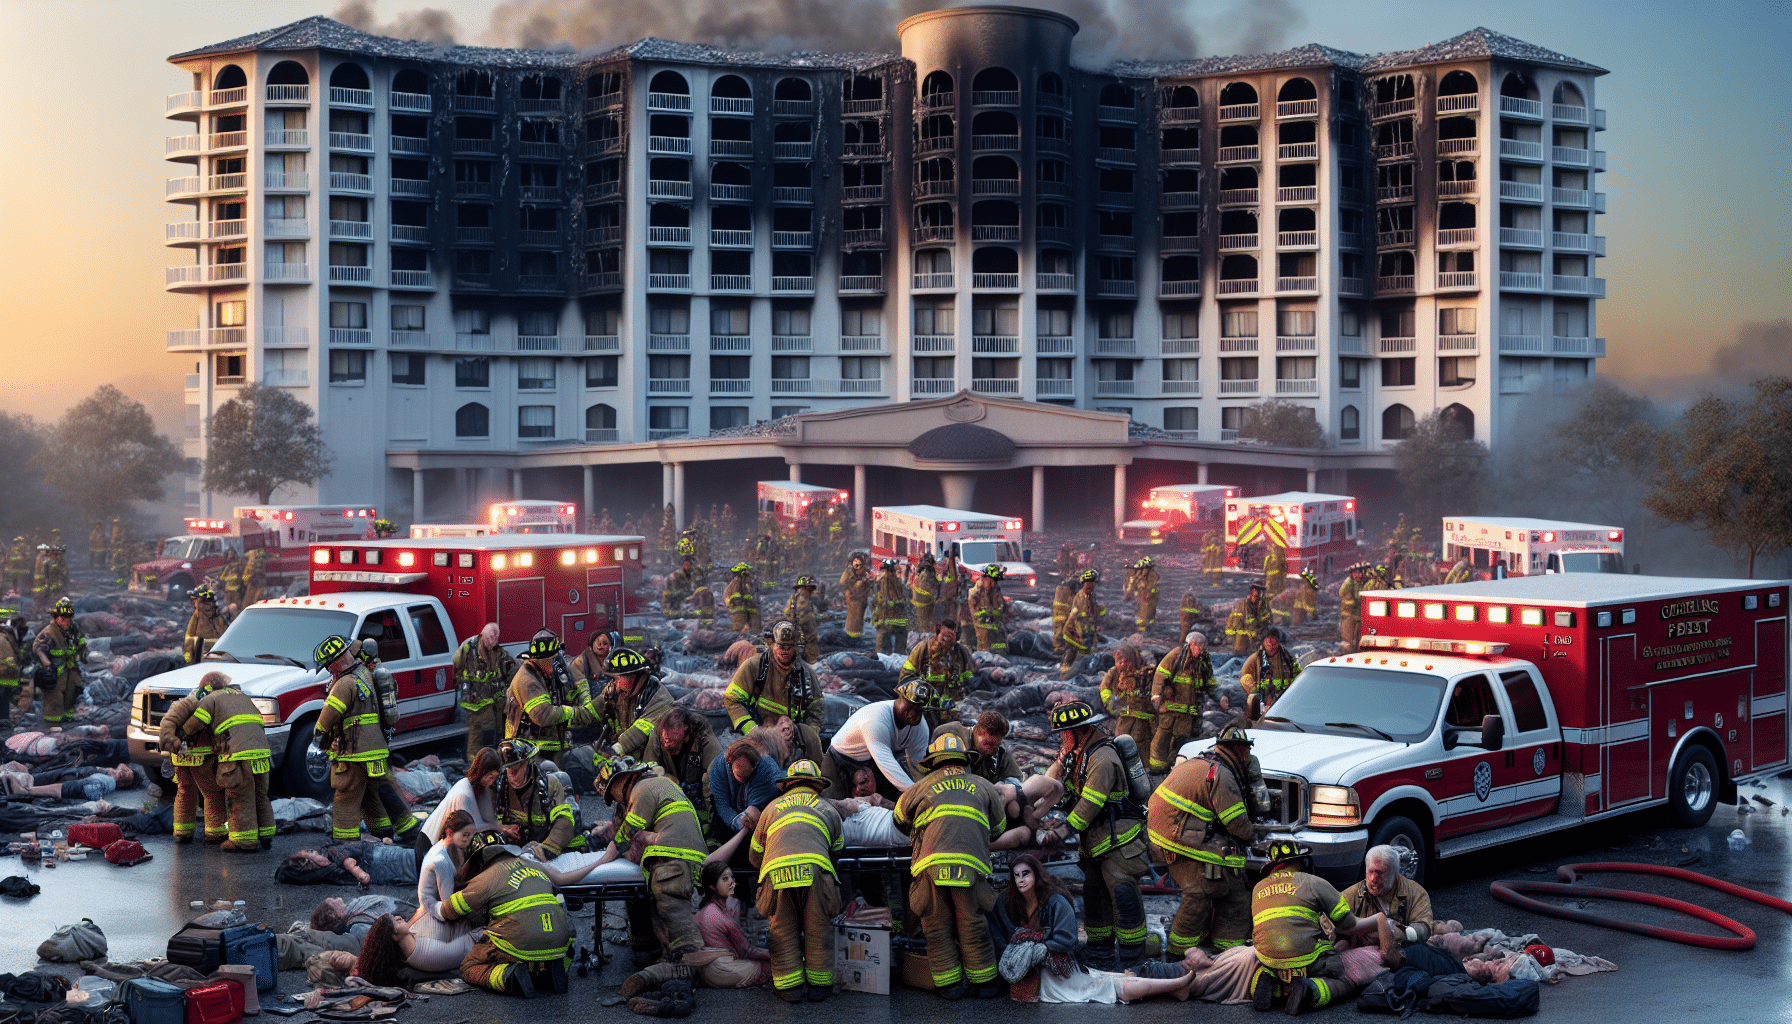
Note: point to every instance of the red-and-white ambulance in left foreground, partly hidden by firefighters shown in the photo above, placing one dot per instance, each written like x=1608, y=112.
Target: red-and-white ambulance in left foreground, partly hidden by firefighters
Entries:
x=418, y=600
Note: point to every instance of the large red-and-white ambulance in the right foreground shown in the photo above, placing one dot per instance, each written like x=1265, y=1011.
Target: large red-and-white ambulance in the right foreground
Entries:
x=1488, y=713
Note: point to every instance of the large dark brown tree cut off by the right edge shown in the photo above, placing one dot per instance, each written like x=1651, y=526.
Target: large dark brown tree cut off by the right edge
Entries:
x=1727, y=471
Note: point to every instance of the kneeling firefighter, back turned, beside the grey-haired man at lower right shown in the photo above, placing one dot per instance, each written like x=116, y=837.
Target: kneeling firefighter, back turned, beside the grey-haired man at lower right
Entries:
x=1293, y=951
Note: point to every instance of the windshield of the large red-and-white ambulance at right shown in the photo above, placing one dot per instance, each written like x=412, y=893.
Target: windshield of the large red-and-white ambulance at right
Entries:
x=1399, y=704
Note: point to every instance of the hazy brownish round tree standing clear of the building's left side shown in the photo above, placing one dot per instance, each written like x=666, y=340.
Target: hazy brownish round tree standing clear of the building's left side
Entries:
x=105, y=453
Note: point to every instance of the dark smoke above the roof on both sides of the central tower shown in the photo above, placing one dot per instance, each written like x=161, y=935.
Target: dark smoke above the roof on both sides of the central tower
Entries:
x=1146, y=30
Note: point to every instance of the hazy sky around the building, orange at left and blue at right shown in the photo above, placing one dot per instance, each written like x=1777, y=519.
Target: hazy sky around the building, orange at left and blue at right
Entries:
x=1698, y=186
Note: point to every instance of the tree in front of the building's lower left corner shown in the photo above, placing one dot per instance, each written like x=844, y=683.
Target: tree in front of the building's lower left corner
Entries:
x=263, y=440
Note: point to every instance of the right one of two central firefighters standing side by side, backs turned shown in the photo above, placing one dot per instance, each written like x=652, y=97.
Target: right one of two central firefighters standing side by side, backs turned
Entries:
x=952, y=817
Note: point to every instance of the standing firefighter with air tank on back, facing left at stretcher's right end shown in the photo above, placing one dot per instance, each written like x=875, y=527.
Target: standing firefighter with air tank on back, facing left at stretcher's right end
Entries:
x=1110, y=835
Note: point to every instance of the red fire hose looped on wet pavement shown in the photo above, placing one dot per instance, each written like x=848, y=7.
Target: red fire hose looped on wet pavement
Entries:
x=1741, y=937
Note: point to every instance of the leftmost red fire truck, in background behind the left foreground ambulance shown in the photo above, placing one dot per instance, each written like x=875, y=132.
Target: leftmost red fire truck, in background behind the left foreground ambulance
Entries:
x=187, y=560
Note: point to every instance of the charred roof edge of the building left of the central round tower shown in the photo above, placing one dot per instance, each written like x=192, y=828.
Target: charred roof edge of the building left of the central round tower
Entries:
x=320, y=33
